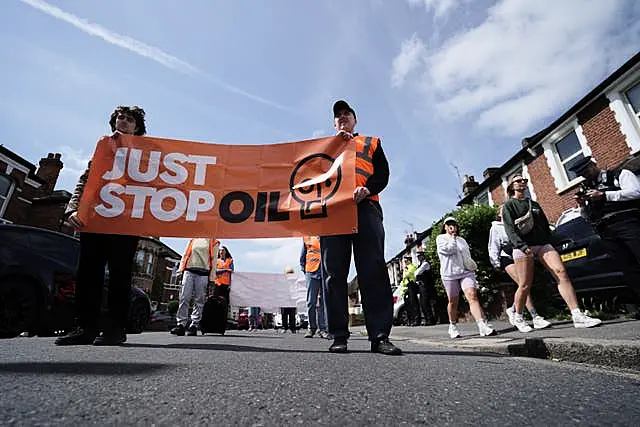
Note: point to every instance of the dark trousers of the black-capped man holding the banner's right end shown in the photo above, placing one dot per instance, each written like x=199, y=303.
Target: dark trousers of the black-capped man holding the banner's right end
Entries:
x=373, y=277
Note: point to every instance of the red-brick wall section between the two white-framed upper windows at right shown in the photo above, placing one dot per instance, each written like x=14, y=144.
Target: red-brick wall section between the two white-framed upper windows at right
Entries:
x=599, y=126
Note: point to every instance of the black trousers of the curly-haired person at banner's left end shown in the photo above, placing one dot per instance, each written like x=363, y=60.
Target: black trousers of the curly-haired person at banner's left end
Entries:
x=96, y=252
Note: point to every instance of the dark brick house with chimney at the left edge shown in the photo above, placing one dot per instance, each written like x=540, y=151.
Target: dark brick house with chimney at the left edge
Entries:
x=27, y=193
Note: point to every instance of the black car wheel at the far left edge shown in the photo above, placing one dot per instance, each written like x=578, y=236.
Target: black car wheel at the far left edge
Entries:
x=18, y=307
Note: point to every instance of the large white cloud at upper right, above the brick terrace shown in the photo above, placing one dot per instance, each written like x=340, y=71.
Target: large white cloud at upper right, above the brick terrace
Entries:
x=526, y=61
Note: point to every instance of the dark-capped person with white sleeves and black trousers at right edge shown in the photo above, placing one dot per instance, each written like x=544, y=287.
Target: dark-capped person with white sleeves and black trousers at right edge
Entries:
x=610, y=200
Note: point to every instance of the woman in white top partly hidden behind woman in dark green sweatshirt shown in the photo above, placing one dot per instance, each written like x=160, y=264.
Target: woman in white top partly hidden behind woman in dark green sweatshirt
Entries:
x=501, y=257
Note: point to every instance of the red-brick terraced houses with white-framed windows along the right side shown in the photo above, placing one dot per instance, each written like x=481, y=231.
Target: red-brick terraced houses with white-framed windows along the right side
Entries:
x=604, y=124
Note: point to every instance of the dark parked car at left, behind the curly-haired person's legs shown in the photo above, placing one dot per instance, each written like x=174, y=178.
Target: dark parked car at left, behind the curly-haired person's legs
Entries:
x=37, y=283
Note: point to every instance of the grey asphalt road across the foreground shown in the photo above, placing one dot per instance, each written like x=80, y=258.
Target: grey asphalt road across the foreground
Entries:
x=264, y=378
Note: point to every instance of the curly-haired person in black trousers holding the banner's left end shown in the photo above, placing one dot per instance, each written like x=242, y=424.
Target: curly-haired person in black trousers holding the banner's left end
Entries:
x=97, y=250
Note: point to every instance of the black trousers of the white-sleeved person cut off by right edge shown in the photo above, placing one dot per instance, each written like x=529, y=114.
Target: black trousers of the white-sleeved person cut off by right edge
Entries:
x=621, y=236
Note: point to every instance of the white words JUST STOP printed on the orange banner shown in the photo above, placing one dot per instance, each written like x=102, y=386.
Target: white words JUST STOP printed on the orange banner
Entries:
x=130, y=161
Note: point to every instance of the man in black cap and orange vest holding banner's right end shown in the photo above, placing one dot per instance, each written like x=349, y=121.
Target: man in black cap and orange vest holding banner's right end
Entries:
x=372, y=176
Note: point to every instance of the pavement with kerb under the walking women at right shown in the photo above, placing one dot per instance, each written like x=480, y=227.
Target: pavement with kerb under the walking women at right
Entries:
x=614, y=343
